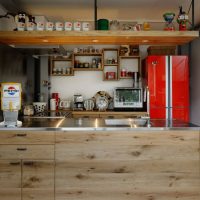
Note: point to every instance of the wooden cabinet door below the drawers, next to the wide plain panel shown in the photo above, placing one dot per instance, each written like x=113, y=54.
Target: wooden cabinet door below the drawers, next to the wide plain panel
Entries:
x=38, y=180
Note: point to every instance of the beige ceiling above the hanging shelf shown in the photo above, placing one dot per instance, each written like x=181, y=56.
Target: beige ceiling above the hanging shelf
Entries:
x=111, y=9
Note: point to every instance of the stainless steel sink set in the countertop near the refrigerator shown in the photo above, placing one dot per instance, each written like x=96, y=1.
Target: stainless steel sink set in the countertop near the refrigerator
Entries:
x=126, y=122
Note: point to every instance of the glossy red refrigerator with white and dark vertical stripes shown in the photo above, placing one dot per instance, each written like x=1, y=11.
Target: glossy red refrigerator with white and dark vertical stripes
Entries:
x=168, y=83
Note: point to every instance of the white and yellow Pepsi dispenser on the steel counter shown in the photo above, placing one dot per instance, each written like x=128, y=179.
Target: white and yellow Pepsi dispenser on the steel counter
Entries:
x=10, y=104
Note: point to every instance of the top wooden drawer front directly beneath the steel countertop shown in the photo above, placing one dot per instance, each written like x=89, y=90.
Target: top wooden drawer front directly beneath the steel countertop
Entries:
x=26, y=137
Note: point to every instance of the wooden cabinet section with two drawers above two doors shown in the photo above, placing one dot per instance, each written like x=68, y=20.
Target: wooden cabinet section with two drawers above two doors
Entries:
x=27, y=165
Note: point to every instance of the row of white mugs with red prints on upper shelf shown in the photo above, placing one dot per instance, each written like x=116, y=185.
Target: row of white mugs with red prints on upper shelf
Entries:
x=50, y=26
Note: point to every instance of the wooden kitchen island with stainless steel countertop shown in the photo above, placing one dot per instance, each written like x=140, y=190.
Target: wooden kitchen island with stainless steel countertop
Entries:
x=95, y=159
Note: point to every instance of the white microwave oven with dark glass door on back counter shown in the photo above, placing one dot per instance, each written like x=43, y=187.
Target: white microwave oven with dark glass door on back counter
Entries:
x=128, y=98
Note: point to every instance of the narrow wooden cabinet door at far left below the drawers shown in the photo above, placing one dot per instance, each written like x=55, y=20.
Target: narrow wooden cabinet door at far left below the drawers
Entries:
x=10, y=180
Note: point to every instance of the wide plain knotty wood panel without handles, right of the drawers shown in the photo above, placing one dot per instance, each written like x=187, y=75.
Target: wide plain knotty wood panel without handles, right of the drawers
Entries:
x=127, y=165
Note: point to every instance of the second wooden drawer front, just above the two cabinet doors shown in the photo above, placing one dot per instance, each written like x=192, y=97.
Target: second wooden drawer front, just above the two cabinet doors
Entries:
x=27, y=152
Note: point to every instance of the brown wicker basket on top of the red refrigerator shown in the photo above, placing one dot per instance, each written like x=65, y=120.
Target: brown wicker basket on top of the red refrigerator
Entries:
x=161, y=50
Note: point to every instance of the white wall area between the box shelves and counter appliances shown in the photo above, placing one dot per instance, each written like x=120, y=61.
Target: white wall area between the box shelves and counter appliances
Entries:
x=86, y=83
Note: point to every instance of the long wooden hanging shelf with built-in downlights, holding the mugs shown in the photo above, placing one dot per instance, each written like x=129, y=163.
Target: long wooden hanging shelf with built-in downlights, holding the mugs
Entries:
x=97, y=37
